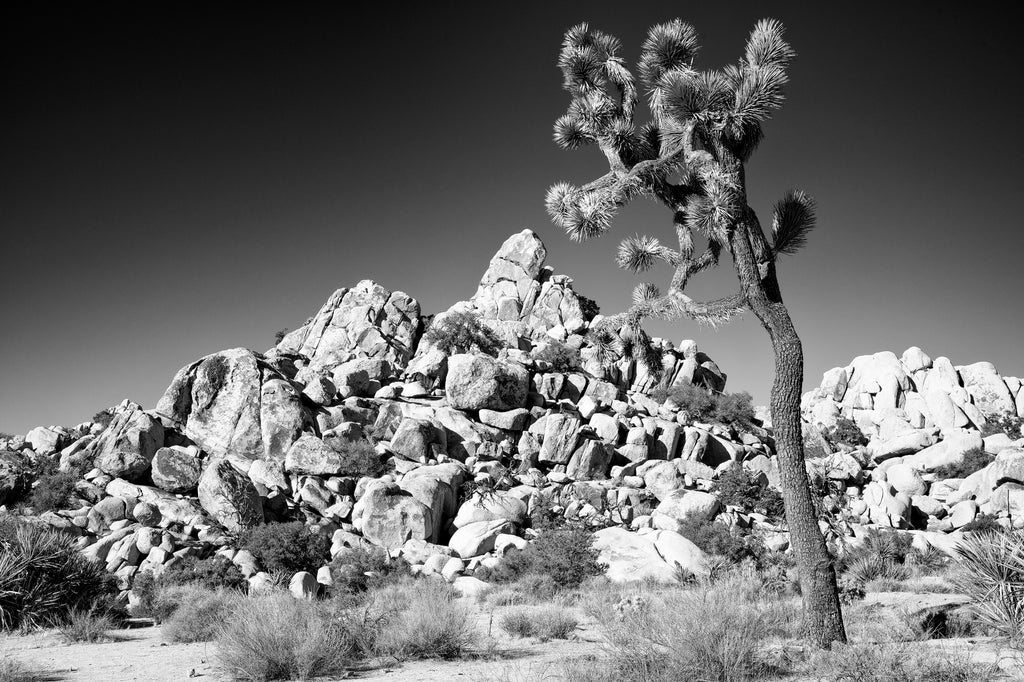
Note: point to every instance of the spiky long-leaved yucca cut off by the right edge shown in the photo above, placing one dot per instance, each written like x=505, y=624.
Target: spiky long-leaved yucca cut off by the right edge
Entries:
x=992, y=572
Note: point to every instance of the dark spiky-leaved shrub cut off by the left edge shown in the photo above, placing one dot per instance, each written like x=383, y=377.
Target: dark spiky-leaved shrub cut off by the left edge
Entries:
x=45, y=578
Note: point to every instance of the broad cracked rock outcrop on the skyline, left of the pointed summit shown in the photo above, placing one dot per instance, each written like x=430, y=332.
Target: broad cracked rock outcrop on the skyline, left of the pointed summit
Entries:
x=367, y=321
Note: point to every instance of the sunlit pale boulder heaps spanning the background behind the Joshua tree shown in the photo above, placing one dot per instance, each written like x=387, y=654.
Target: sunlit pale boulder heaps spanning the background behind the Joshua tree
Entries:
x=359, y=427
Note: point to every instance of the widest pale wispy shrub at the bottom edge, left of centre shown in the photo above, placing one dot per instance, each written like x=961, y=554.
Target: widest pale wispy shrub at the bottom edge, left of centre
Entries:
x=278, y=637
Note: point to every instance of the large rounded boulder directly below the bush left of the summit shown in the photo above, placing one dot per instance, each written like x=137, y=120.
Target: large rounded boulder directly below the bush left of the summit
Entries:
x=481, y=382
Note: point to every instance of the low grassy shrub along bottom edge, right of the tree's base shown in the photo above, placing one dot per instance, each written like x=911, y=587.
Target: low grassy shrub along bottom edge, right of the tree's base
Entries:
x=895, y=663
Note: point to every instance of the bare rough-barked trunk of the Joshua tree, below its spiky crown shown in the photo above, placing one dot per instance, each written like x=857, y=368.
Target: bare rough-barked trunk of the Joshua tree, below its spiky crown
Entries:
x=824, y=620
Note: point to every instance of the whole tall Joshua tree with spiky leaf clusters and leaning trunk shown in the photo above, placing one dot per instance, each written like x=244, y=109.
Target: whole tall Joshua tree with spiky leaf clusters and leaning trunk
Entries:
x=691, y=157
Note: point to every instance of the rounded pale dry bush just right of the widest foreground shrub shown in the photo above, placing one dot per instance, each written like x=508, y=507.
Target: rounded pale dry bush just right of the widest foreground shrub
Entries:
x=431, y=624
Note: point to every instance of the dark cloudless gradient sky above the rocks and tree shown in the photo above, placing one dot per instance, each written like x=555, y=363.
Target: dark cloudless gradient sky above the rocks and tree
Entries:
x=180, y=179
